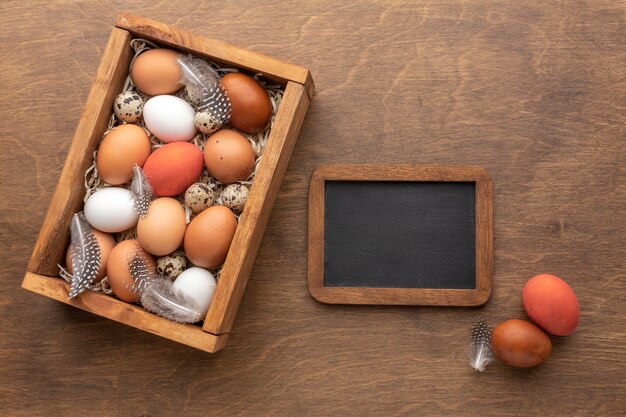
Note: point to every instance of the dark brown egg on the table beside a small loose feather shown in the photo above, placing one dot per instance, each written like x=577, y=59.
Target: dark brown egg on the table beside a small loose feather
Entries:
x=520, y=343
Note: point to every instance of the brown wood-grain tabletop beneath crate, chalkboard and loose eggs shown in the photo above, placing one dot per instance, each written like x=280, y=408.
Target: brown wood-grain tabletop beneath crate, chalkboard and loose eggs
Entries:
x=534, y=93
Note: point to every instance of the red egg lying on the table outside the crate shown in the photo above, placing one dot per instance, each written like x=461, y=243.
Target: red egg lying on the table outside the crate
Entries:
x=551, y=304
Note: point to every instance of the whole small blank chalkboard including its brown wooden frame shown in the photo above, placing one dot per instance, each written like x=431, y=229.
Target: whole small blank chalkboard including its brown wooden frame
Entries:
x=400, y=234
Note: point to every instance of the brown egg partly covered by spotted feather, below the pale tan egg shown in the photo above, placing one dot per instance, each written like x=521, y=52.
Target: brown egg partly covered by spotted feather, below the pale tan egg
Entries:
x=117, y=268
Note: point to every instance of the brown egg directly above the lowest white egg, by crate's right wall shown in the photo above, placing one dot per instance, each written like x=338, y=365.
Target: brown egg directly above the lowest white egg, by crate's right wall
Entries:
x=209, y=236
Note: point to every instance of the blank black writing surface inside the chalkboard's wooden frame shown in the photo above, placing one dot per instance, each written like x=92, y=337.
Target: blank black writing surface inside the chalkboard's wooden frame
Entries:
x=399, y=234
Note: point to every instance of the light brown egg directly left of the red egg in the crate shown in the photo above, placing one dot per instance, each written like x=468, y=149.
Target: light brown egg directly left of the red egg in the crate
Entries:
x=119, y=151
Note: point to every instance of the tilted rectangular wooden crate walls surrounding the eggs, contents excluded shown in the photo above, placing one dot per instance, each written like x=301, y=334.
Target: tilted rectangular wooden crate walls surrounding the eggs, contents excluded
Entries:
x=42, y=273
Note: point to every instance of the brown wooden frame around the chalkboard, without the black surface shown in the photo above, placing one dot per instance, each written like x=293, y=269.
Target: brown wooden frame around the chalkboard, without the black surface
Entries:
x=401, y=296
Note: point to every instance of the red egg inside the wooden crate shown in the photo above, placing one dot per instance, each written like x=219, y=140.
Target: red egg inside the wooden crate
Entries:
x=172, y=168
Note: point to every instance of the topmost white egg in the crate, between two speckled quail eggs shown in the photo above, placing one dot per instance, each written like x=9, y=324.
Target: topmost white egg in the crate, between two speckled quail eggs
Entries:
x=169, y=118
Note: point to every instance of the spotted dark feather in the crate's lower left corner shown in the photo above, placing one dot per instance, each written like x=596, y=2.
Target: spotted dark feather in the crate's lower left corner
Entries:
x=85, y=255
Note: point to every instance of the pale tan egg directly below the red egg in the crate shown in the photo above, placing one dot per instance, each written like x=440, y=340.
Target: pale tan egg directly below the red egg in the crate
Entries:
x=161, y=231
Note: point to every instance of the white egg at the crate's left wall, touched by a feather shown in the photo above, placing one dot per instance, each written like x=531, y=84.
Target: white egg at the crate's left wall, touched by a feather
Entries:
x=111, y=210
